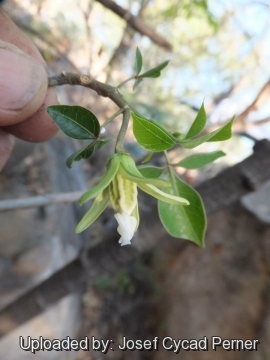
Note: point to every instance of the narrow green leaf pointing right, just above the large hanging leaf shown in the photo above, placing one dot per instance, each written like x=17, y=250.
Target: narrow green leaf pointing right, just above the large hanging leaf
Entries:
x=197, y=161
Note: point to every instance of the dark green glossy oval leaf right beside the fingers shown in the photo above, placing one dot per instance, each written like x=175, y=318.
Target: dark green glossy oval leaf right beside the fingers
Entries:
x=75, y=121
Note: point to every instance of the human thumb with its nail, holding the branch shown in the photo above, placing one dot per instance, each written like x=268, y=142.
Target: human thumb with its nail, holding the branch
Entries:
x=23, y=85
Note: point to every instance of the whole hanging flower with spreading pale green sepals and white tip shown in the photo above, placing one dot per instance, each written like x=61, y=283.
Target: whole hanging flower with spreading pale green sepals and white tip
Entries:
x=119, y=186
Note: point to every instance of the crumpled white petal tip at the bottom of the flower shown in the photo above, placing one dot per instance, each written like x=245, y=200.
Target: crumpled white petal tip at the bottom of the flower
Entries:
x=126, y=228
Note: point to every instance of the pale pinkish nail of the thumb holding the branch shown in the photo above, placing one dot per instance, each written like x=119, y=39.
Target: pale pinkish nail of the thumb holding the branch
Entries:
x=20, y=79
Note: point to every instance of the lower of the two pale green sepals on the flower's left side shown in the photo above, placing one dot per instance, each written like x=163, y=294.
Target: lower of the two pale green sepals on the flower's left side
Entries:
x=98, y=206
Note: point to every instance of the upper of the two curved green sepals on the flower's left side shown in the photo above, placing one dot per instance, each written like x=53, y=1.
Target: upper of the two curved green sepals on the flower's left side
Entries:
x=105, y=180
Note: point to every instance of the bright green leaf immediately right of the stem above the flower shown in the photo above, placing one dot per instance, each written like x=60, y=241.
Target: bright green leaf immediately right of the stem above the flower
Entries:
x=150, y=135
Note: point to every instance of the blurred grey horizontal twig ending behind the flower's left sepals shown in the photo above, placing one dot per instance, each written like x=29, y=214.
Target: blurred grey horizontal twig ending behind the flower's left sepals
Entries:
x=36, y=201
